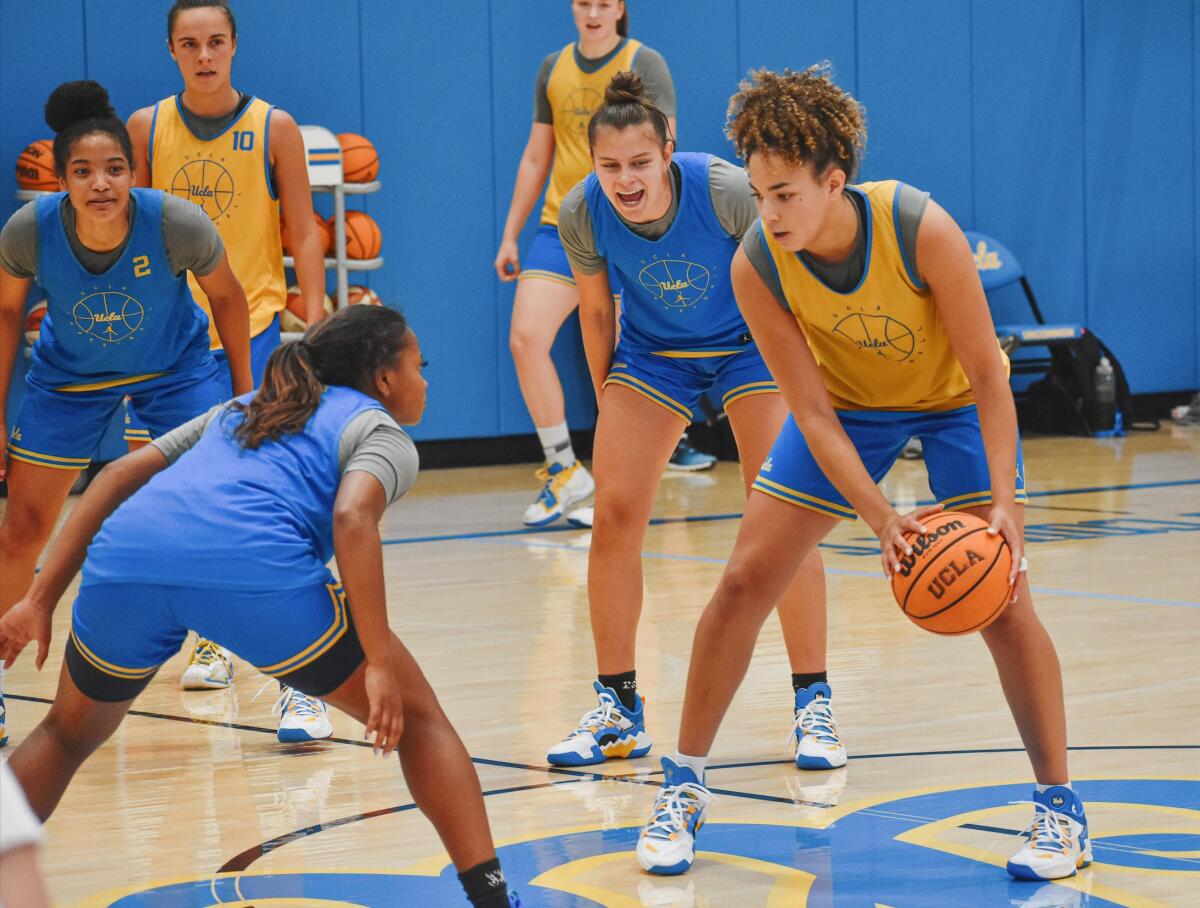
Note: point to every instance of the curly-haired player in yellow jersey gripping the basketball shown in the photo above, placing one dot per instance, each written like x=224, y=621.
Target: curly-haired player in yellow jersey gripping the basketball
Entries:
x=885, y=255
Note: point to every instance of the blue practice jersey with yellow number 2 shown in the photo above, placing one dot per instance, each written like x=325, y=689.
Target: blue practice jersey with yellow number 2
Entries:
x=134, y=322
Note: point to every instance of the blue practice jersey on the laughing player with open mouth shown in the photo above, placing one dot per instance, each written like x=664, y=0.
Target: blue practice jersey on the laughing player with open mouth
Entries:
x=676, y=293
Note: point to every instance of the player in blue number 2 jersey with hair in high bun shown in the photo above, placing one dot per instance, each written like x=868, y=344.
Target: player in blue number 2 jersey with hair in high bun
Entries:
x=121, y=321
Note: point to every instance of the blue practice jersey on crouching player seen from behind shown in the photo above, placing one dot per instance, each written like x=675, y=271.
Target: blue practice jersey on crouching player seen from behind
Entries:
x=229, y=518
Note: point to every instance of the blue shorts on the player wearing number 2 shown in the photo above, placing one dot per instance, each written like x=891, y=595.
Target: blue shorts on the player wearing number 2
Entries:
x=63, y=429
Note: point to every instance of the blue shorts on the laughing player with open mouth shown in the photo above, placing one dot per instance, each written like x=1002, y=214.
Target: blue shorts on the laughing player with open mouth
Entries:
x=677, y=383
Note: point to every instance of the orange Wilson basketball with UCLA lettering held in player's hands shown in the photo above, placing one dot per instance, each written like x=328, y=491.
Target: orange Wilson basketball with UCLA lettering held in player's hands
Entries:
x=956, y=581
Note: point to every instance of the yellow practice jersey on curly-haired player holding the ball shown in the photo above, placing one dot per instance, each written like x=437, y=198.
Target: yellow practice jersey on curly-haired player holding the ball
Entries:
x=881, y=346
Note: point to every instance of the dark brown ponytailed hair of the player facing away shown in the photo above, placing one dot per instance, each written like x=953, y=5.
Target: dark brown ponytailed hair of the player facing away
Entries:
x=349, y=348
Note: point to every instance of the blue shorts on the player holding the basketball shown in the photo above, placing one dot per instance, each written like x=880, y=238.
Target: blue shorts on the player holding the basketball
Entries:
x=951, y=441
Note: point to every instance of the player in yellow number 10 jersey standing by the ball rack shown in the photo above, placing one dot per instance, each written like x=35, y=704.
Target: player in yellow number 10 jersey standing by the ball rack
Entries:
x=242, y=160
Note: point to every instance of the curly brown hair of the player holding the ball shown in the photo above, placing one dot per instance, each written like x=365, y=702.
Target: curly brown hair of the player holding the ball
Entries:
x=802, y=117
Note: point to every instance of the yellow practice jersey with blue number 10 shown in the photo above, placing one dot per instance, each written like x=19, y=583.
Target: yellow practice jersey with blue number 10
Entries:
x=230, y=178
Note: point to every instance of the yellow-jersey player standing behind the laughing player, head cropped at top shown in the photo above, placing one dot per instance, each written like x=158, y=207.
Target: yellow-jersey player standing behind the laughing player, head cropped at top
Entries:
x=569, y=88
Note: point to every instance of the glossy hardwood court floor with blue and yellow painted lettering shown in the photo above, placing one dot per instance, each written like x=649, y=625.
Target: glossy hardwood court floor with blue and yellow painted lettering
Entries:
x=195, y=804
